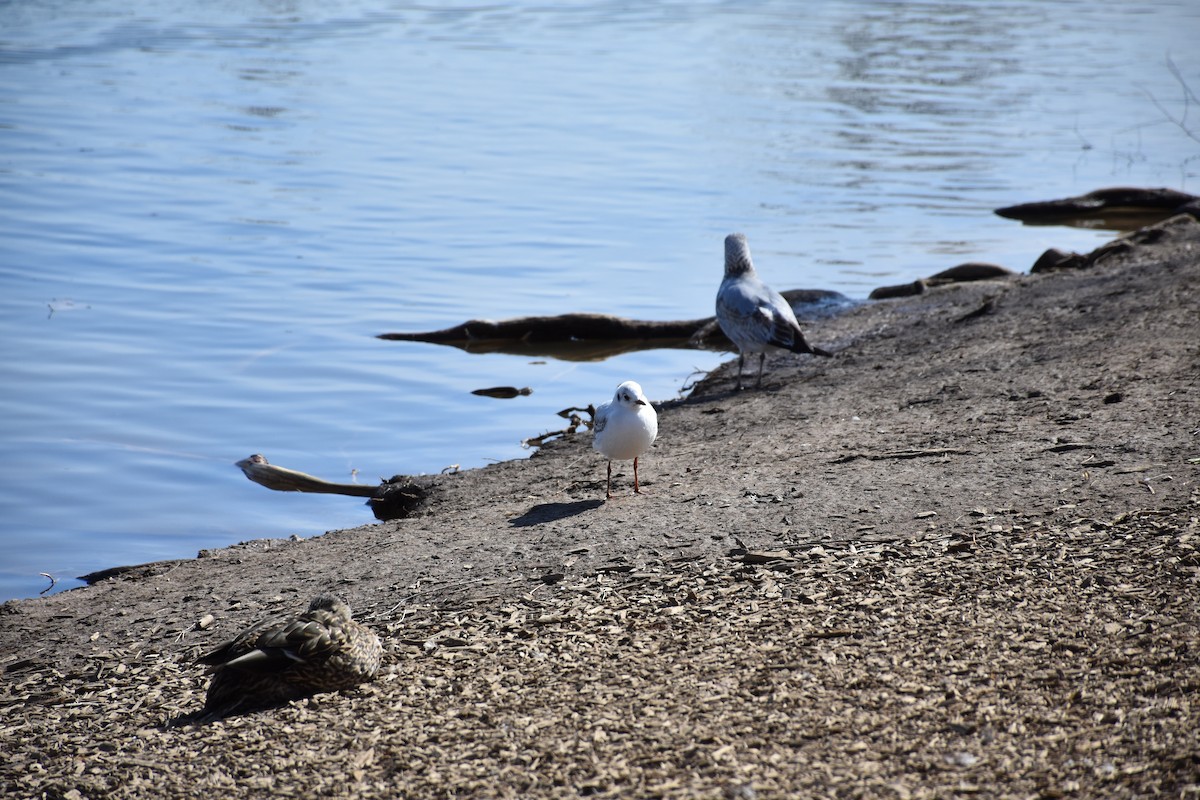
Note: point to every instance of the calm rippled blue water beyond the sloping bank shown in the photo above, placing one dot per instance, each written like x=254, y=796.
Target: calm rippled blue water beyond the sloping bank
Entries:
x=209, y=213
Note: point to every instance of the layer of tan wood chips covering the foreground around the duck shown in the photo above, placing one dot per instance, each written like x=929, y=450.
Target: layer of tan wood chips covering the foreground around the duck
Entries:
x=910, y=669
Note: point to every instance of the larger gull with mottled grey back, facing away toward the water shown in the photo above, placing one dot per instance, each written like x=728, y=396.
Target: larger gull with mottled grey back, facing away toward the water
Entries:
x=753, y=315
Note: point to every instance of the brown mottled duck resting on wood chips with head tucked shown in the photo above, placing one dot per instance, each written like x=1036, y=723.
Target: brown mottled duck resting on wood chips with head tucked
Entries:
x=284, y=659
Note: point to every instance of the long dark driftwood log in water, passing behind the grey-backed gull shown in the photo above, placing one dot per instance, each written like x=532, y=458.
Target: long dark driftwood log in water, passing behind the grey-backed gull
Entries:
x=595, y=338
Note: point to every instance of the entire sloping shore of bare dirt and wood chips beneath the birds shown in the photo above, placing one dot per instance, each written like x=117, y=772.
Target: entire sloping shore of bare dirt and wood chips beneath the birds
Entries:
x=959, y=558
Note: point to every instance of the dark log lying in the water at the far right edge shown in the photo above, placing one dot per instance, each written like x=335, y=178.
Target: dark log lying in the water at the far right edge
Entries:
x=1111, y=209
